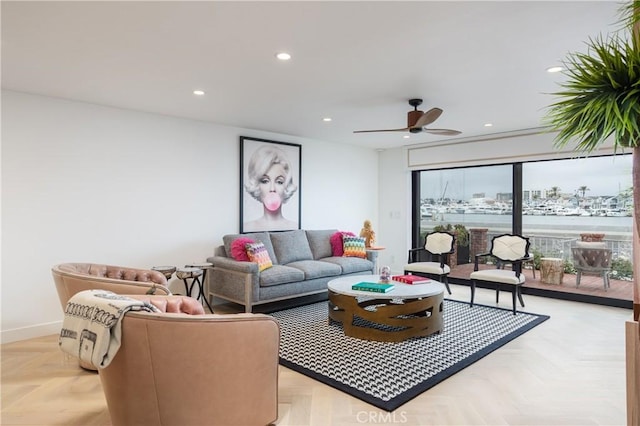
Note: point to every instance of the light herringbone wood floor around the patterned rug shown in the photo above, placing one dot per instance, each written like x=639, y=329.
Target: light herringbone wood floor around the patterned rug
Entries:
x=567, y=371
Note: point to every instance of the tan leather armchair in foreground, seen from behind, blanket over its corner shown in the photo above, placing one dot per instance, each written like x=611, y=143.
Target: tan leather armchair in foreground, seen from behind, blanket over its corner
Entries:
x=180, y=369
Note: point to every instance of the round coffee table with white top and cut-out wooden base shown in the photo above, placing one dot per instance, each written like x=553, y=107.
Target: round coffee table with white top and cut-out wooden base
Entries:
x=404, y=312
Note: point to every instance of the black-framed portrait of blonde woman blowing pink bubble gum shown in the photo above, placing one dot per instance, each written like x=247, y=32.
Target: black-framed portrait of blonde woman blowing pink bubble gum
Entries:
x=281, y=211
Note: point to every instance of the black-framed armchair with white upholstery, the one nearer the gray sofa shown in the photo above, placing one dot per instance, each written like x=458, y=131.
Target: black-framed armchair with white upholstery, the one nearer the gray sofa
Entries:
x=438, y=246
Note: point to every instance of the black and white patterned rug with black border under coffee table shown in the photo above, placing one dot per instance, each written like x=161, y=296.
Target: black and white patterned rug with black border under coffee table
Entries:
x=388, y=375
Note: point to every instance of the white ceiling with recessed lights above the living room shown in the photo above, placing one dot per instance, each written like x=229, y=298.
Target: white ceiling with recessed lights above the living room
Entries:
x=356, y=62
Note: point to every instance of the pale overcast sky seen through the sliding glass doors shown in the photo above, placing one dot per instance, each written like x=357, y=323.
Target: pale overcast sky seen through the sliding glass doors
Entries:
x=602, y=175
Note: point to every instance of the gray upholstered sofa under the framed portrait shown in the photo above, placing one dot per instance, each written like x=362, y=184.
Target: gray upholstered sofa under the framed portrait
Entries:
x=302, y=265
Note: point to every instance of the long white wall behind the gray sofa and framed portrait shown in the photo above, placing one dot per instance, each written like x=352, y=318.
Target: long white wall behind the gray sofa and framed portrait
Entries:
x=89, y=183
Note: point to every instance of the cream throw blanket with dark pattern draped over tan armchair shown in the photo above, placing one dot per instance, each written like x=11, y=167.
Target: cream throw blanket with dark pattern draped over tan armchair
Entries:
x=92, y=326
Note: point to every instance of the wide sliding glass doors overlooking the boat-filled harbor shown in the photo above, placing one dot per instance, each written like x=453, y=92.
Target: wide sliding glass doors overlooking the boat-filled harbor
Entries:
x=555, y=203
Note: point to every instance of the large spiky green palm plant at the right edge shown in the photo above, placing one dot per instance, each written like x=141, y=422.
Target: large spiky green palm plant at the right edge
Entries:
x=600, y=99
